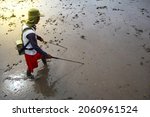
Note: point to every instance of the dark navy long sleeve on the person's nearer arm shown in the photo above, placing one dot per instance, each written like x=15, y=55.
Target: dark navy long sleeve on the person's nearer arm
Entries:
x=33, y=42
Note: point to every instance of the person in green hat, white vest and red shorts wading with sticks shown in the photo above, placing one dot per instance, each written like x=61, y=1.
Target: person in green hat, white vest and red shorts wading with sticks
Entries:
x=32, y=51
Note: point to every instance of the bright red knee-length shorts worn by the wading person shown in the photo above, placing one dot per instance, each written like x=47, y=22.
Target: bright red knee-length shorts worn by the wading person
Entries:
x=31, y=61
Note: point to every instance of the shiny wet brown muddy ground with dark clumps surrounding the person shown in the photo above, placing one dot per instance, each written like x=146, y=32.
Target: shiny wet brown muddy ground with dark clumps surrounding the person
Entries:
x=111, y=37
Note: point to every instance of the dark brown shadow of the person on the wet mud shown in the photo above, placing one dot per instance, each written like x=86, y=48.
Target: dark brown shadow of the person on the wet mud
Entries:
x=43, y=85
